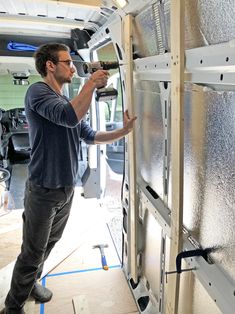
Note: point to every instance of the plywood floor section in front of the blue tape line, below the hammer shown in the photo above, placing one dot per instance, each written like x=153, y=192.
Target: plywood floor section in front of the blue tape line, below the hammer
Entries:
x=105, y=291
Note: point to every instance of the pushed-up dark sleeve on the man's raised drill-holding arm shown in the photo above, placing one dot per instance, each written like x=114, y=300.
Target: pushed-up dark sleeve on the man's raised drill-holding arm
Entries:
x=53, y=107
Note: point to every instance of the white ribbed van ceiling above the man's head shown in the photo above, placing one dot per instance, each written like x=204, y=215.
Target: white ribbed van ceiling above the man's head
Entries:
x=51, y=17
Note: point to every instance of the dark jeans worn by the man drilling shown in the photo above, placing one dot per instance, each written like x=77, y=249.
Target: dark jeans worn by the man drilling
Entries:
x=44, y=219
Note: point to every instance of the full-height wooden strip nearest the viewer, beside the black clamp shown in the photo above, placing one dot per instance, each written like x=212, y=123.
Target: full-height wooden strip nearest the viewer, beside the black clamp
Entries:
x=177, y=147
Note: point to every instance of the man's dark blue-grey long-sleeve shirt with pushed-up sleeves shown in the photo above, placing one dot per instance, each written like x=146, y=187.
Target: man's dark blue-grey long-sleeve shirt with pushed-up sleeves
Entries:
x=54, y=134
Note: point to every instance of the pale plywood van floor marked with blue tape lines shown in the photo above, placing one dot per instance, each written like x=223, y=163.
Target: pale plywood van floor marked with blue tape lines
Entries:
x=73, y=271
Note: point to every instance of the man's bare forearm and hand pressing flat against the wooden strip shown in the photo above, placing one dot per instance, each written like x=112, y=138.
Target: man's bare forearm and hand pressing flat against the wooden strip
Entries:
x=103, y=137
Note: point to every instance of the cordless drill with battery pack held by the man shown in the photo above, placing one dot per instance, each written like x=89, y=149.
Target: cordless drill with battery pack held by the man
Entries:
x=103, y=93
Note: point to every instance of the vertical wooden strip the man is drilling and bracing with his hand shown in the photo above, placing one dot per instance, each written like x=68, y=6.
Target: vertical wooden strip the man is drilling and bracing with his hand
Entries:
x=133, y=209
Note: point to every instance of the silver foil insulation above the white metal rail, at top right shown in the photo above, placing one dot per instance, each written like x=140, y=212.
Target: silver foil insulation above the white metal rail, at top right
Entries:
x=207, y=22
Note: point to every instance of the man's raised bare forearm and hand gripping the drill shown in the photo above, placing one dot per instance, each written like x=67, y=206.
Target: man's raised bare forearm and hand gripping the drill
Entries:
x=82, y=101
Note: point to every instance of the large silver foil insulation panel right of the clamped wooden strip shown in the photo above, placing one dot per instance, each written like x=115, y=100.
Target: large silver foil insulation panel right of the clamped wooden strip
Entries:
x=209, y=171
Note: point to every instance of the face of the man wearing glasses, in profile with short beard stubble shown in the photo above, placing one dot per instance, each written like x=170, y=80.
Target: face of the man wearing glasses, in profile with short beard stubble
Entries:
x=64, y=68
